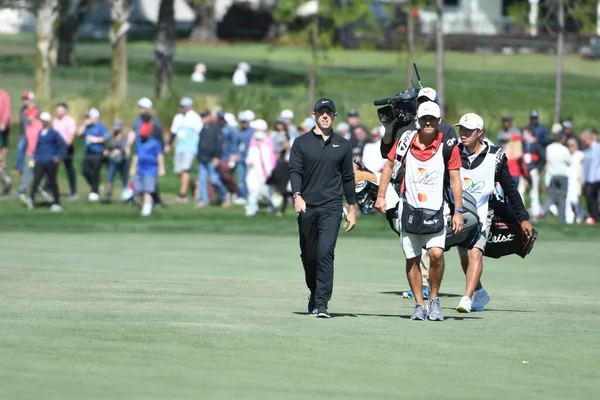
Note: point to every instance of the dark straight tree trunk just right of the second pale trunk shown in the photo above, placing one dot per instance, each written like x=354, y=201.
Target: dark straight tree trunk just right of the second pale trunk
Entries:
x=165, y=47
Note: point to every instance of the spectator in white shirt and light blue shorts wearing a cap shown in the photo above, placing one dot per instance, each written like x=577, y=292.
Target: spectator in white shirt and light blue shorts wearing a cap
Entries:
x=185, y=132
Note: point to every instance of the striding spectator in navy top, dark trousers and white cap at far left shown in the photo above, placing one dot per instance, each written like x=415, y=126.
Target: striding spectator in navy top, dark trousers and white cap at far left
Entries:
x=49, y=151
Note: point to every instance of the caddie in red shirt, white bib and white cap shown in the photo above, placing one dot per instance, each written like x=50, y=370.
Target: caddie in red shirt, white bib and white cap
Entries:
x=425, y=162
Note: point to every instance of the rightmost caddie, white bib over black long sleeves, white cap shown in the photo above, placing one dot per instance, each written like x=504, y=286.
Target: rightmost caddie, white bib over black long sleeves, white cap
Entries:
x=482, y=167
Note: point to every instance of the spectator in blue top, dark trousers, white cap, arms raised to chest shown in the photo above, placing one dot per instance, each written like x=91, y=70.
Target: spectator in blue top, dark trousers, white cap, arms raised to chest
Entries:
x=95, y=134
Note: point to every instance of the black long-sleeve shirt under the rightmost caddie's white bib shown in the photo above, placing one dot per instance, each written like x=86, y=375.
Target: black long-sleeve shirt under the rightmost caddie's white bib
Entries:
x=501, y=175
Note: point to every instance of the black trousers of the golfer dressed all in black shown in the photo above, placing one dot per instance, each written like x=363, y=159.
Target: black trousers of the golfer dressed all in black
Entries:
x=319, y=228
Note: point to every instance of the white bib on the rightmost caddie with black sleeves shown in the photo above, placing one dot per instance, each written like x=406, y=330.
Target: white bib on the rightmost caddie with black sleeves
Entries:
x=480, y=183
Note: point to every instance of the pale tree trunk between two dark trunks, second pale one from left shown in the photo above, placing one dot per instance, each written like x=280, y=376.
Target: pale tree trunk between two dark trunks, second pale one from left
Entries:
x=120, y=11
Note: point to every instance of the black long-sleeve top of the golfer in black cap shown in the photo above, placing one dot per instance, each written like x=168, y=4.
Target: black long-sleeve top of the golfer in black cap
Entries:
x=321, y=170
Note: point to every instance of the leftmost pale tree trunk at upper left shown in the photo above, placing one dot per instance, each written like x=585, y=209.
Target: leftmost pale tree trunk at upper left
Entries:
x=46, y=24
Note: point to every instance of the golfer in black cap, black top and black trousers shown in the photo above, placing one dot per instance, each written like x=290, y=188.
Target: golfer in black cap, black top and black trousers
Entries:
x=321, y=173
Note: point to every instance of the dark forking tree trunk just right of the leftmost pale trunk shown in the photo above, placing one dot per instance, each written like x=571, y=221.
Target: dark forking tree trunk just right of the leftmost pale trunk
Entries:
x=69, y=20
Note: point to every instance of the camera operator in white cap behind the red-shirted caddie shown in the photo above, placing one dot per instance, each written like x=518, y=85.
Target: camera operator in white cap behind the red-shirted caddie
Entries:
x=399, y=127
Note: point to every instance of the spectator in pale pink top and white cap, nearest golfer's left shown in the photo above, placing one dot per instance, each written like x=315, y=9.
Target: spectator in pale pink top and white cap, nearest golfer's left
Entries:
x=260, y=162
